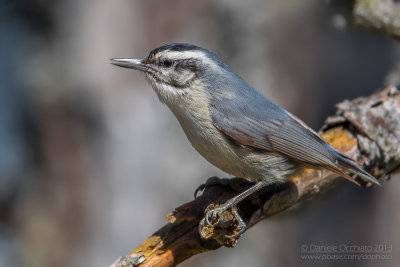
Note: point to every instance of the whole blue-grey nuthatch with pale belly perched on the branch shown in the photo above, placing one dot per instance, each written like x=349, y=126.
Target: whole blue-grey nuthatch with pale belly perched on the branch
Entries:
x=232, y=125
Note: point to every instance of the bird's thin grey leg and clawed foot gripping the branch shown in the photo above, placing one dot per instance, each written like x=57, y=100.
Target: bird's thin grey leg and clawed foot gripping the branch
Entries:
x=214, y=214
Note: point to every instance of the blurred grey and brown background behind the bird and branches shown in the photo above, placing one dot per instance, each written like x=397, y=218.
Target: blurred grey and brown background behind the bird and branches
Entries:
x=90, y=161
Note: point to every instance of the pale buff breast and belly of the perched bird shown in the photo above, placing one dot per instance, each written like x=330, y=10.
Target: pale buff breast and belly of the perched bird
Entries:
x=215, y=147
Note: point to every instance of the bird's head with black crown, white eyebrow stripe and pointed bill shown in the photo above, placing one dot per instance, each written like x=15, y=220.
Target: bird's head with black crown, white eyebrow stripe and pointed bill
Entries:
x=174, y=70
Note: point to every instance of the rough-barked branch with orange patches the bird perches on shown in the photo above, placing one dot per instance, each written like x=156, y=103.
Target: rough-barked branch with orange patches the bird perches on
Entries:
x=365, y=129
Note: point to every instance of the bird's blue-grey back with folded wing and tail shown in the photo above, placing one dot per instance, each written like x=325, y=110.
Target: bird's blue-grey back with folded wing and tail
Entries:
x=250, y=119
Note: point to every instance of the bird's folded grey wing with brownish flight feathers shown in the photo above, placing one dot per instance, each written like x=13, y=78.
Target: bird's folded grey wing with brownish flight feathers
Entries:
x=270, y=128
